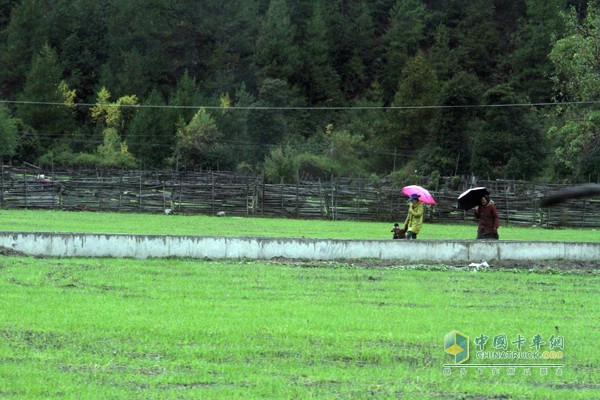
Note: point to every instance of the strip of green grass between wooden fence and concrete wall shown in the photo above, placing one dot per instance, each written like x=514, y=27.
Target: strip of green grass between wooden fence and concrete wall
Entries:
x=160, y=224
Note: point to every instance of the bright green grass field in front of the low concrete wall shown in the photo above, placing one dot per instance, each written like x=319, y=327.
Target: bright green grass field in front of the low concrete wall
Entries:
x=167, y=329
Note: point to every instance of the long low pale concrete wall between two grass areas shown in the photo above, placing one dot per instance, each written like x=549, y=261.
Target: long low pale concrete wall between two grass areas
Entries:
x=144, y=246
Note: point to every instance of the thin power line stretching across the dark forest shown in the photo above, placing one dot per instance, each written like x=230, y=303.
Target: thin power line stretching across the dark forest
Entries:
x=304, y=108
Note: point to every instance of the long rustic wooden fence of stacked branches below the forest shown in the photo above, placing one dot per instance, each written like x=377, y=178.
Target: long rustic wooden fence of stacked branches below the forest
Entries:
x=339, y=199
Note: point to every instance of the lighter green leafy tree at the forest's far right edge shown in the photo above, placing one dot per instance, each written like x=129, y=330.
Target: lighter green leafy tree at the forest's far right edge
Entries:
x=575, y=133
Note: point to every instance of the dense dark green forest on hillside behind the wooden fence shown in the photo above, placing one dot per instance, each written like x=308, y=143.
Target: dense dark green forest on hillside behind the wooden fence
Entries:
x=297, y=89
